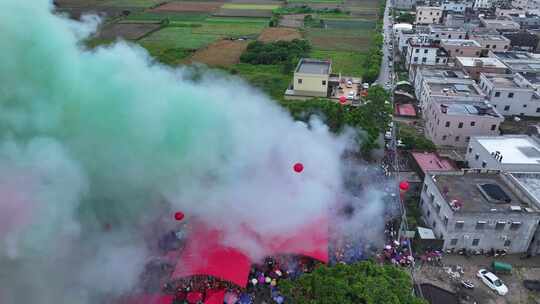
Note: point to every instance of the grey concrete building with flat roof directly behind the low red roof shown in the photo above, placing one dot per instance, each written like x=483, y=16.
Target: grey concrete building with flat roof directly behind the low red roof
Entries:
x=454, y=122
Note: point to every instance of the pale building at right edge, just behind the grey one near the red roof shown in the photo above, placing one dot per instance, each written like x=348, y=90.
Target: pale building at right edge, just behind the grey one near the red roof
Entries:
x=511, y=94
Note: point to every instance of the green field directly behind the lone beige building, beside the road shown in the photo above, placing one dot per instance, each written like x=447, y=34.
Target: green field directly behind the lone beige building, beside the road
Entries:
x=346, y=63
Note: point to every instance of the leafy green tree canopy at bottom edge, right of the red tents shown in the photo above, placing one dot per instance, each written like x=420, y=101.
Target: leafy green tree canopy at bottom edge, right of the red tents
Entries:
x=363, y=282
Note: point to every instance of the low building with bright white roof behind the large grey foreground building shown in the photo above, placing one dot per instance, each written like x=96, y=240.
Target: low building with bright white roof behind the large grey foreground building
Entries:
x=509, y=153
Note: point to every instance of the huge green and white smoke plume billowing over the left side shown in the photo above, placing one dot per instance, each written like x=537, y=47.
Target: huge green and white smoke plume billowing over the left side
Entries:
x=97, y=146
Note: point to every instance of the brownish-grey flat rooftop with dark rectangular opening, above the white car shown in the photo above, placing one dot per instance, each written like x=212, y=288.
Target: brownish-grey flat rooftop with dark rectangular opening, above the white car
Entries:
x=465, y=189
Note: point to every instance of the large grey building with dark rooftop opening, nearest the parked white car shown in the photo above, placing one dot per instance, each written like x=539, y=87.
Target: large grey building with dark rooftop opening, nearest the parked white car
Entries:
x=480, y=210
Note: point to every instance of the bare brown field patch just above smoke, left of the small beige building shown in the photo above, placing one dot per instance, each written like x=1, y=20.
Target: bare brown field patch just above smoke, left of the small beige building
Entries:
x=221, y=53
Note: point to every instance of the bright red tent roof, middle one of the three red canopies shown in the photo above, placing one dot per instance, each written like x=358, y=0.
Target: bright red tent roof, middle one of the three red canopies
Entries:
x=205, y=255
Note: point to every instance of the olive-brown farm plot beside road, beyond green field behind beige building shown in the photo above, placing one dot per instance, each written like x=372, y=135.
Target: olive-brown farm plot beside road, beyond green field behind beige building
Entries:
x=339, y=39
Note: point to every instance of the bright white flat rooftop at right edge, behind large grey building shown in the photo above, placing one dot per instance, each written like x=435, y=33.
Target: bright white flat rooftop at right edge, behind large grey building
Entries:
x=515, y=149
